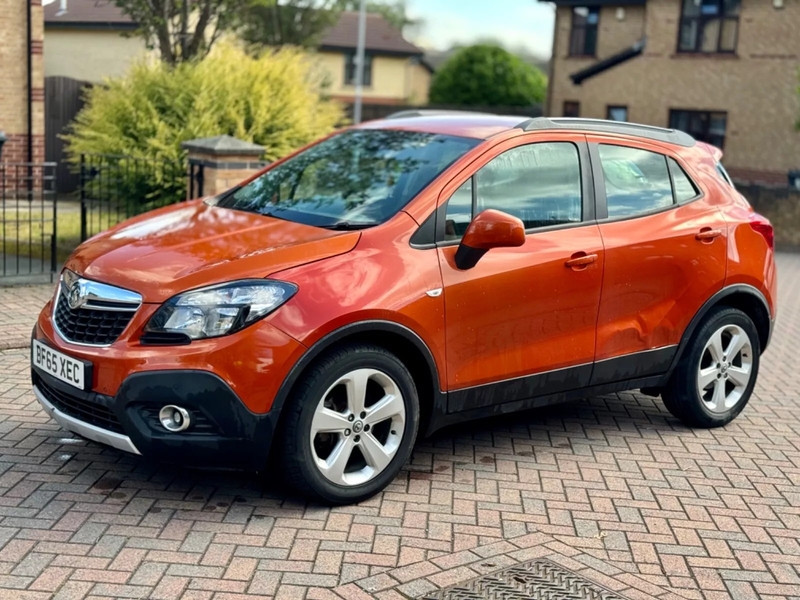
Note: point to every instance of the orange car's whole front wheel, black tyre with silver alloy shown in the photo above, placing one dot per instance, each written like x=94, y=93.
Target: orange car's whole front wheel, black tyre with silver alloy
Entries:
x=351, y=425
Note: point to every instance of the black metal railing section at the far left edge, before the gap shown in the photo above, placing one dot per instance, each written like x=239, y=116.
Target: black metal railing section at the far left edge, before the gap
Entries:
x=28, y=209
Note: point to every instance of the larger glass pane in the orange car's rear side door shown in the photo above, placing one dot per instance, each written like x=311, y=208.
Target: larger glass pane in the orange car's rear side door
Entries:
x=637, y=181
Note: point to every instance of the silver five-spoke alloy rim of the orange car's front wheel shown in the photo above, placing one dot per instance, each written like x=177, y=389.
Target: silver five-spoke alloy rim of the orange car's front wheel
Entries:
x=357, y=427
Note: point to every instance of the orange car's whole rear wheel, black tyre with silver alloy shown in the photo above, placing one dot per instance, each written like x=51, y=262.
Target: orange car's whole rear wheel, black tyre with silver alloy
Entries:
x=717, y=373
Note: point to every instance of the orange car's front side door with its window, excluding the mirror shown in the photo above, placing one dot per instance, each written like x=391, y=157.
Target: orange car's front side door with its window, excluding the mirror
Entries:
x=521, y=322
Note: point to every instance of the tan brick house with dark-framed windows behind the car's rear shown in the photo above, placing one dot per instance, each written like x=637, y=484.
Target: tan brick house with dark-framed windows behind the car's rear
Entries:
x=725, y=71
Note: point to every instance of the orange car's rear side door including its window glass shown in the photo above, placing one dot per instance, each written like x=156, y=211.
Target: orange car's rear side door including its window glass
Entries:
x=665, y=252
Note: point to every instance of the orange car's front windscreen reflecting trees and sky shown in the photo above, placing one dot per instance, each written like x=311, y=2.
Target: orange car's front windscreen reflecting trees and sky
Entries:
x=357, y=178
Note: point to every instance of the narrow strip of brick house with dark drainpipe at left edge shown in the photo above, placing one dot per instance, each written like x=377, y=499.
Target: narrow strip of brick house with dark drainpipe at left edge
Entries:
x=22, y=80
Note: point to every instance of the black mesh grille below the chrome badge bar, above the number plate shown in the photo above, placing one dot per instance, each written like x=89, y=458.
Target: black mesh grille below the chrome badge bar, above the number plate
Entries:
x=90, y=325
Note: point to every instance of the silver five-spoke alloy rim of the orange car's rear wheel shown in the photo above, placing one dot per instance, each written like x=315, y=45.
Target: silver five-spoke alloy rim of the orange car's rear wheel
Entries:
x=725, y=369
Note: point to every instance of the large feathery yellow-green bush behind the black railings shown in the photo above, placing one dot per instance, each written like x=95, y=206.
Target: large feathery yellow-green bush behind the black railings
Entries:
x=274, y=99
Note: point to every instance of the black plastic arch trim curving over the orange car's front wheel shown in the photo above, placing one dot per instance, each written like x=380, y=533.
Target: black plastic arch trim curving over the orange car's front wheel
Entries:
x=439, y=405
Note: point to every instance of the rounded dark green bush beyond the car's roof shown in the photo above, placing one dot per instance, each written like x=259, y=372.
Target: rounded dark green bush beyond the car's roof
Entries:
x=487, y=75
